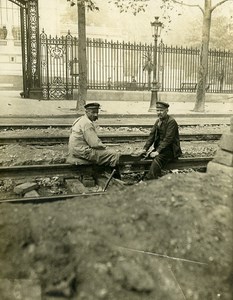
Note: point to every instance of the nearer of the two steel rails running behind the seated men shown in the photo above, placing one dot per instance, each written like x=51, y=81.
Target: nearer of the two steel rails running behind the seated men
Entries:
x=105, y=137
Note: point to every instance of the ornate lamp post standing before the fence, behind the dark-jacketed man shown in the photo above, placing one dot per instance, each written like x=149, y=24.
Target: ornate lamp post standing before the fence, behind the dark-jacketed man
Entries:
x=156, y=26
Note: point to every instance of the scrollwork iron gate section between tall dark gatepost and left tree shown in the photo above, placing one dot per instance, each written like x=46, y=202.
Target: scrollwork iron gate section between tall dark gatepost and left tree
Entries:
x=58, y=70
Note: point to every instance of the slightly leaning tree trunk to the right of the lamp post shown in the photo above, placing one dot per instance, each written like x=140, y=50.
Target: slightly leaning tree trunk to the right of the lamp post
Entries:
x=203, y=69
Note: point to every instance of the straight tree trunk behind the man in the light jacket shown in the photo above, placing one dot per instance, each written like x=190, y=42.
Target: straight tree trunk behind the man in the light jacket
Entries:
x=82, y=60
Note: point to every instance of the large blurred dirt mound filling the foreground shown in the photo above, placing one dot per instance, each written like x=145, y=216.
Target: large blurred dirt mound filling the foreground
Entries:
x=166, y=239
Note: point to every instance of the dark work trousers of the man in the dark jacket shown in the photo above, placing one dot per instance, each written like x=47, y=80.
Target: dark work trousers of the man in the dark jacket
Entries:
x=158, y=163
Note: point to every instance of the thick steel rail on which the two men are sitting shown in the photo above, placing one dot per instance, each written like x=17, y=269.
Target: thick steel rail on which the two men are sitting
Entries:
x=71, y=170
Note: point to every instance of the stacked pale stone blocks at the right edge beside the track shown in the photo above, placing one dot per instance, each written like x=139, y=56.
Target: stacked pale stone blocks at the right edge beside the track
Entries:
x=223, y=160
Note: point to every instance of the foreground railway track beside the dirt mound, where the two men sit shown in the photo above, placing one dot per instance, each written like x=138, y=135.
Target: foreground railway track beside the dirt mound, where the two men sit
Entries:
x=128, y=165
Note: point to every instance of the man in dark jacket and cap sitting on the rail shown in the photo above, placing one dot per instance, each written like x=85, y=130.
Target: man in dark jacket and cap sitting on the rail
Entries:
x=164, y=137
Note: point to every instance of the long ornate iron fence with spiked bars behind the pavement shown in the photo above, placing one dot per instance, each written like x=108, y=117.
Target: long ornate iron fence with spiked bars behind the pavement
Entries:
x=128, y=66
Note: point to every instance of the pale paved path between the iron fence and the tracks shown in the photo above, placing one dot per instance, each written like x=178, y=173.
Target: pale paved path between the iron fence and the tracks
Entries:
x=12, y=105
